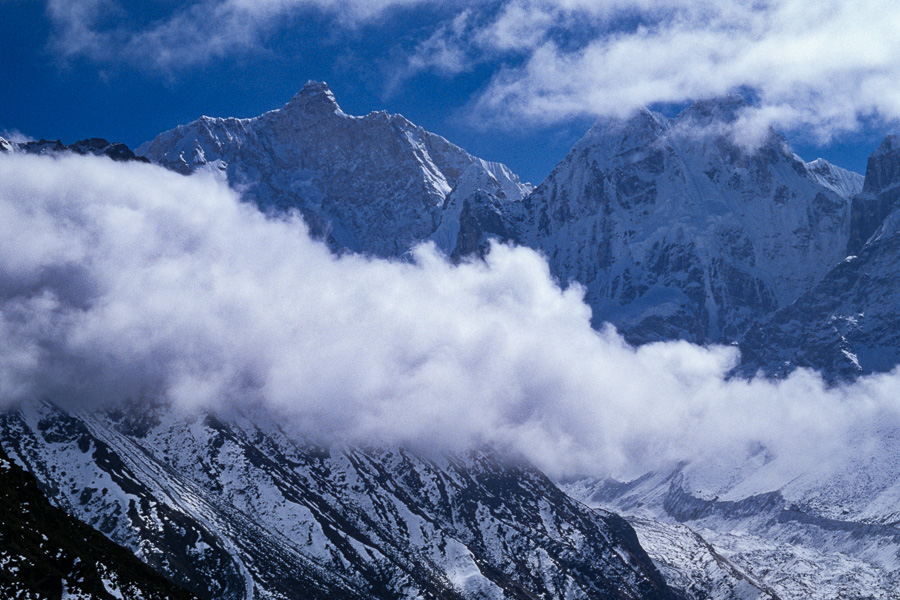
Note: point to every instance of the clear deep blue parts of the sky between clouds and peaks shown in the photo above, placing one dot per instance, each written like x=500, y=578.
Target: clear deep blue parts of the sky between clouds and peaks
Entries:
x=51, y=95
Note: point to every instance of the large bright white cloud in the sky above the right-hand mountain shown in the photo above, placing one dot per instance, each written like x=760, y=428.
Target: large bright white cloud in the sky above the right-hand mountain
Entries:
x=819, y=65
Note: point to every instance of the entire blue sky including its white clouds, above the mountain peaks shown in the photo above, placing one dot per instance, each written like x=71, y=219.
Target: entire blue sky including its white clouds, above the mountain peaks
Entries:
x=511, y=80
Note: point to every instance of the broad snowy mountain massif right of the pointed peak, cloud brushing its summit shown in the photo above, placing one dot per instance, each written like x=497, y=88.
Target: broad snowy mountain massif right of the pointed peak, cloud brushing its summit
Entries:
x=677, y=232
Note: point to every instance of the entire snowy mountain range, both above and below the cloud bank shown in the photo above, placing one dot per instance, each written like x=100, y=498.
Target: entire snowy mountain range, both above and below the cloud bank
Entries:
x=675, y=227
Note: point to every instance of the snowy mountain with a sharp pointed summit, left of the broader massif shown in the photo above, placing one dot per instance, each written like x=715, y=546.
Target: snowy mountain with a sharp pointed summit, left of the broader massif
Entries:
x=376, y=184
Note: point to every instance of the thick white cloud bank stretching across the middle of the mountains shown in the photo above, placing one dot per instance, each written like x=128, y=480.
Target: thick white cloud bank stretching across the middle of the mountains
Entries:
x=128, y=282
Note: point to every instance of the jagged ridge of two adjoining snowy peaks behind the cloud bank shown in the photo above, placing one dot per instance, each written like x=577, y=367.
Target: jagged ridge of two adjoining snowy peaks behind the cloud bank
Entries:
x=675, y=230
